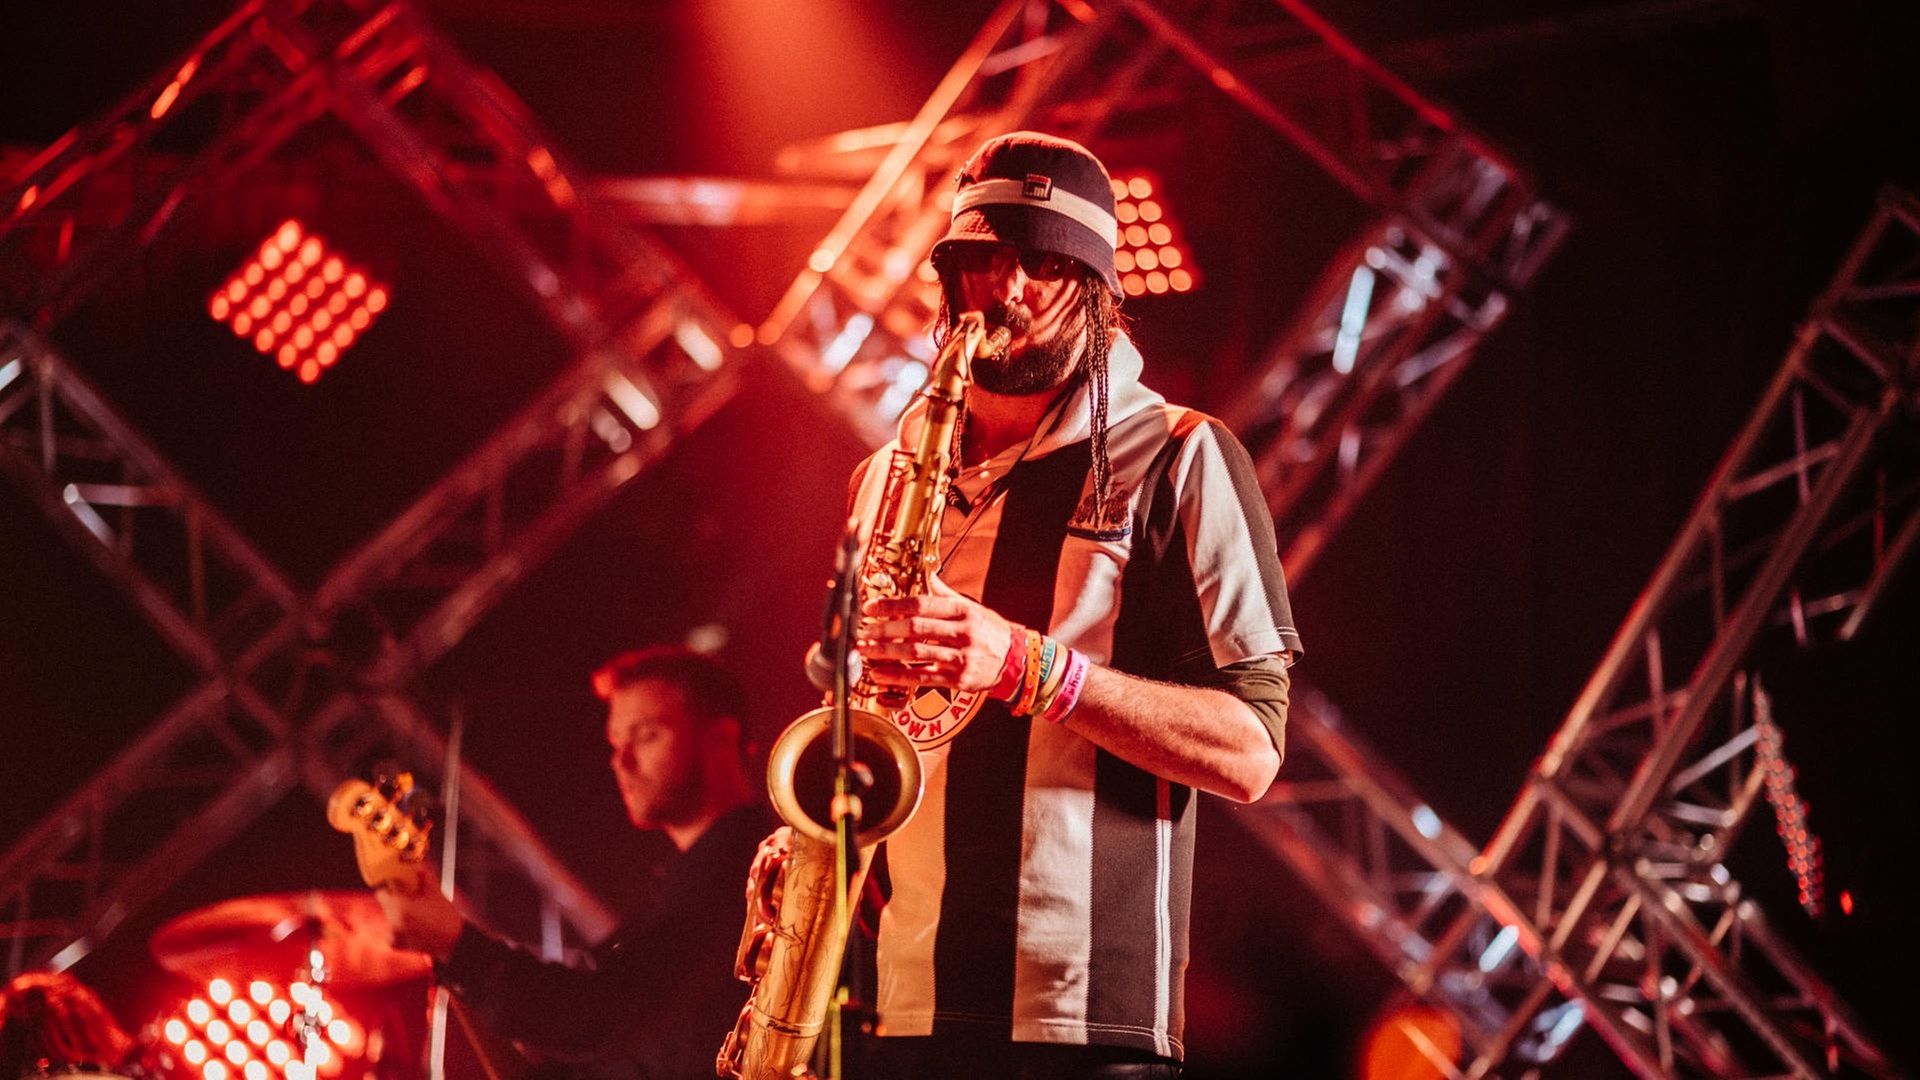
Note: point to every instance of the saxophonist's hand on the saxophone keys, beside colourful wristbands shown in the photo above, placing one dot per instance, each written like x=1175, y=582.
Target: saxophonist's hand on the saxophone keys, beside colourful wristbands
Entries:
x=940, y=639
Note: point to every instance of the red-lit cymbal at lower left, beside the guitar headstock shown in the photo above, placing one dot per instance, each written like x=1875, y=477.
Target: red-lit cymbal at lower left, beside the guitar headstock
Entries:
x=270, y=937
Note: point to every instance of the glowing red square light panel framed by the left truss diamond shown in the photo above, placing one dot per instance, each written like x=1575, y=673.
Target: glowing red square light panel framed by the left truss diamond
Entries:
x=266, y=303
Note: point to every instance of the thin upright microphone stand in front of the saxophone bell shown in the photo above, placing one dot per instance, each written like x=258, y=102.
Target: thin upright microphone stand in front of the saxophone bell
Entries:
x=850, y=777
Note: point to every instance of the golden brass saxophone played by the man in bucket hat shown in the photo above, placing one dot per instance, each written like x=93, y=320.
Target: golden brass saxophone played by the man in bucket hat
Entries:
x=794, y=964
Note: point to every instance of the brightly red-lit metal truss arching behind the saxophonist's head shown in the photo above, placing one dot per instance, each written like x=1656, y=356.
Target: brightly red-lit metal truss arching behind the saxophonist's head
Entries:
x=1391, y=324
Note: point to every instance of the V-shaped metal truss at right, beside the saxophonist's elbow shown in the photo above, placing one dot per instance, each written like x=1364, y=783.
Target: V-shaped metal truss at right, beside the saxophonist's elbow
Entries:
x=1587, y=910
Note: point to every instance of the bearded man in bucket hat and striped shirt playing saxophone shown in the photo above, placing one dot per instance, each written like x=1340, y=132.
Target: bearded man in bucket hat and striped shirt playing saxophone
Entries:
x=1107, y=635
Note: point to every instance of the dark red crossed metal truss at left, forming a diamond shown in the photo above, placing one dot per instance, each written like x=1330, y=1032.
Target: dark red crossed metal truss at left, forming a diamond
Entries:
x=291, y=697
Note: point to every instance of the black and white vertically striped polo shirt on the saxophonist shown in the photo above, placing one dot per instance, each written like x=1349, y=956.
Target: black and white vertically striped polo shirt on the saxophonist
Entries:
x=1042, y=891
